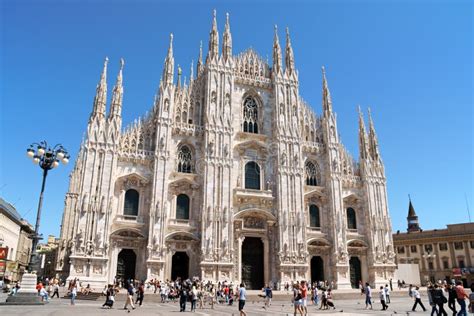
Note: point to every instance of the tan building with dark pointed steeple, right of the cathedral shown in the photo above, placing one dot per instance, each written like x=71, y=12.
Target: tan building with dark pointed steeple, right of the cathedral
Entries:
x=442, y=254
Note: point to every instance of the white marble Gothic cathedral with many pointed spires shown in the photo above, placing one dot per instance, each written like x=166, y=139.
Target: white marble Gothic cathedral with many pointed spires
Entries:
x=229, y=177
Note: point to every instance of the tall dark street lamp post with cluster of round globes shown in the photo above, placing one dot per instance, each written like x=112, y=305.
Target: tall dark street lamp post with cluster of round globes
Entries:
x=47, y=158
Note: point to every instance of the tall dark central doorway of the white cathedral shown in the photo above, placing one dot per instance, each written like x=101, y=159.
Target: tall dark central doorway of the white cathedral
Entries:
x=252, y=263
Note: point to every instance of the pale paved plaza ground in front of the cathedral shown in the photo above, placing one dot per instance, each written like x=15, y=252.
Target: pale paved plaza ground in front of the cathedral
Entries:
x=354, y=306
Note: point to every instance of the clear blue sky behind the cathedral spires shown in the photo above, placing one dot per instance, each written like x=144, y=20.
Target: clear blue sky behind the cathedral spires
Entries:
x=410, y=61
